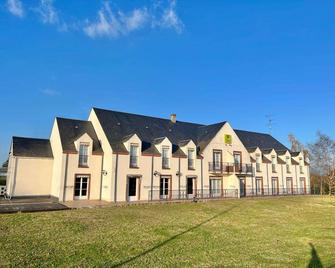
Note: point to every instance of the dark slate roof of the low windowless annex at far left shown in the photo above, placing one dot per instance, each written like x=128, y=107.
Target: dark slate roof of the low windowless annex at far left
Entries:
x=31, y=147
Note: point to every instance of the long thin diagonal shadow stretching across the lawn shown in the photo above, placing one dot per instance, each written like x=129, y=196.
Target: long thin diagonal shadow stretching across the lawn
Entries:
x=163, y=243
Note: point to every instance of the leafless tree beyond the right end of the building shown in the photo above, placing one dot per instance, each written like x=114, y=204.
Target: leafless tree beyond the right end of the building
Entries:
x=322, y=156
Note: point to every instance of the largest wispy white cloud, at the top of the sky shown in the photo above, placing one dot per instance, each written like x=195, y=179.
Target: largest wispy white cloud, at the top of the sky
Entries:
x=115, y=24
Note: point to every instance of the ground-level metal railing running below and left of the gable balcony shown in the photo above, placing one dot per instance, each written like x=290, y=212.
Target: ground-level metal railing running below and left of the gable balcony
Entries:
x=155, y=195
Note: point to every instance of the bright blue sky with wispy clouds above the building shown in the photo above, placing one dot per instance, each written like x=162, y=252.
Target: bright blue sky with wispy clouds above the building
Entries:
x=207, y=61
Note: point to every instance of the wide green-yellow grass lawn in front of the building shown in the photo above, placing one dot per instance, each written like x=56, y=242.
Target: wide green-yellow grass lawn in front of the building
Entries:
x=273, y=232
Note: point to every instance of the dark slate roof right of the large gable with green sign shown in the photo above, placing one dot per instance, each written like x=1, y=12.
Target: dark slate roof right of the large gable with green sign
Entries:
x=261, y=140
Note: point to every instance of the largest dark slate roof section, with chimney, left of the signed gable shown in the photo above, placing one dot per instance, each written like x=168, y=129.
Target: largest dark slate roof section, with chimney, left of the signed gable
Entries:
x=152, y=130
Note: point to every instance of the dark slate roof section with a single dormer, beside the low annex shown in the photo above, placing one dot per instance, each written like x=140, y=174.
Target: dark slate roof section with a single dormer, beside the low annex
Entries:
x=71, y=130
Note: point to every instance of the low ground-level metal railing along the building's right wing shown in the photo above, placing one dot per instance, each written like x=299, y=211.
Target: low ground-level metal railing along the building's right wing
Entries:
x=252, y=192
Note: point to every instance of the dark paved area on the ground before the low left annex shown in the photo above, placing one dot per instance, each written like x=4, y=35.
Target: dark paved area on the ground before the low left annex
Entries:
x=29, y=205
